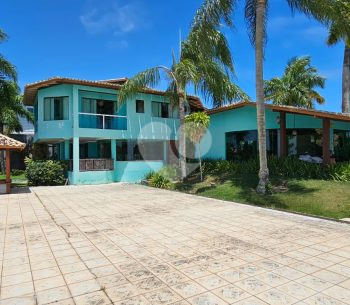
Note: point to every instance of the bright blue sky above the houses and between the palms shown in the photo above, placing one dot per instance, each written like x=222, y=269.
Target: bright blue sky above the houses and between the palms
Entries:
x=101, y=39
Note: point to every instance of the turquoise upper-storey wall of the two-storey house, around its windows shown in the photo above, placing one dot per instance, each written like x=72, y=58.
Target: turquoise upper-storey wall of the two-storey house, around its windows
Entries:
x=139, y=125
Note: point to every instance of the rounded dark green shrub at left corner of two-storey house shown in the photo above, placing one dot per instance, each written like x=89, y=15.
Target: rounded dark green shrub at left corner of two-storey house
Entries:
x=44, y=172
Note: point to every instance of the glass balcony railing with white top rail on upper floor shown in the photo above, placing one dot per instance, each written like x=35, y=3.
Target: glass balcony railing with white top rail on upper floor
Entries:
x=102, y=121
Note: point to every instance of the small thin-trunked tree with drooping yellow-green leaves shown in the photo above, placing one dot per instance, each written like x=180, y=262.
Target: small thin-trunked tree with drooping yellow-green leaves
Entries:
x=196, y=125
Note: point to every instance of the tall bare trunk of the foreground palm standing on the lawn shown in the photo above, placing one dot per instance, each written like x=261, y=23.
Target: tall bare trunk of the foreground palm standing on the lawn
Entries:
x=260, y=106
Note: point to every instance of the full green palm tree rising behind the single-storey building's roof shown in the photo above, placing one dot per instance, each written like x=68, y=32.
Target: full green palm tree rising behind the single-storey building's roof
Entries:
x=297, y=85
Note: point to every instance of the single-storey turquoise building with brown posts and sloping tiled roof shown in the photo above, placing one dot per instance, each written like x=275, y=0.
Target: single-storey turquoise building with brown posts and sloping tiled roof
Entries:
x=289, y=131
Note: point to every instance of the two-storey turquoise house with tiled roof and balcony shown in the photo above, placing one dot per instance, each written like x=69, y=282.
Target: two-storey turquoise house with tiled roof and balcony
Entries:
x=81, y=122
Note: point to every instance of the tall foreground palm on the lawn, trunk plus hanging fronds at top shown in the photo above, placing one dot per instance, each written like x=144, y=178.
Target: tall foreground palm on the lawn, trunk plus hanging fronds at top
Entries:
x=213, y=12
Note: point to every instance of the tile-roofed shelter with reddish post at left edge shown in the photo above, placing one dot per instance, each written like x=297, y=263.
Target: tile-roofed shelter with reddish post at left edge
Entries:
x=7, y=144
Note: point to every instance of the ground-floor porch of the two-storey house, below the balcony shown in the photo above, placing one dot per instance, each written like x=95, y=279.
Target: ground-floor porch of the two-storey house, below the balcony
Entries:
x=92, y=161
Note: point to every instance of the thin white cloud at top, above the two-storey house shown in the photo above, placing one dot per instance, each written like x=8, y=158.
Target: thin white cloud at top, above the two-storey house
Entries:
x=113, y=17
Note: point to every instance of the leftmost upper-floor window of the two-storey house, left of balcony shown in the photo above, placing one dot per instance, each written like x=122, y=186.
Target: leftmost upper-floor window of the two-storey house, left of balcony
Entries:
x=55, y=108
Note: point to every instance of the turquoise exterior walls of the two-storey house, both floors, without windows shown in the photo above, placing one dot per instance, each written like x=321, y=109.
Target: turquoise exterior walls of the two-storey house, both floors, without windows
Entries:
x=139, y=126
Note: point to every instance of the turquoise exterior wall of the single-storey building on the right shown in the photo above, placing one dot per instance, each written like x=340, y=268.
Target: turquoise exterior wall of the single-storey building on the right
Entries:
x=213, y=144
